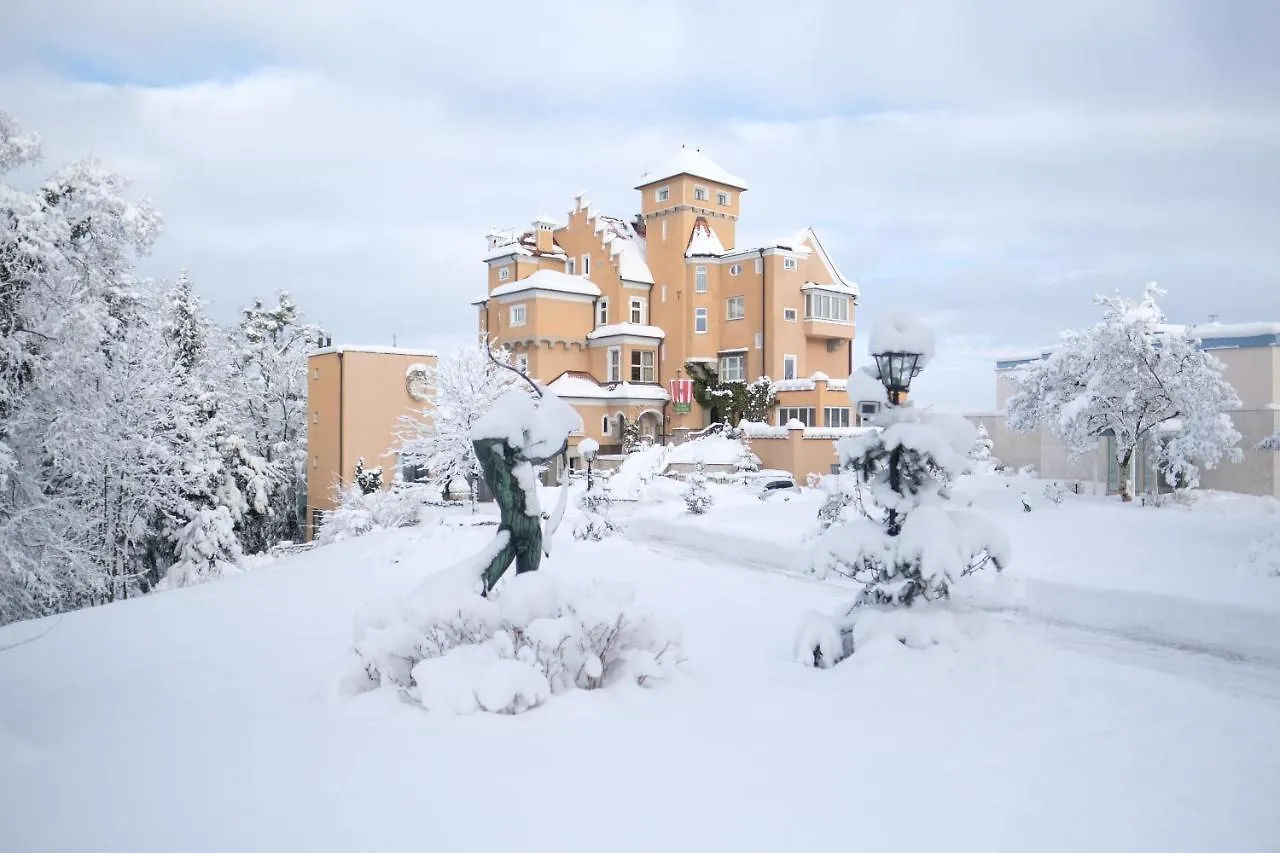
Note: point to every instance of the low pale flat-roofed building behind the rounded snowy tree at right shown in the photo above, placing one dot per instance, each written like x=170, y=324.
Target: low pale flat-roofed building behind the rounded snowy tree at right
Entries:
x=1251, y=354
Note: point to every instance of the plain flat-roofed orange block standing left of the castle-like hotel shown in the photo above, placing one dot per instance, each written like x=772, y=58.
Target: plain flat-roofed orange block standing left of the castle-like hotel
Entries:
x=355, y=402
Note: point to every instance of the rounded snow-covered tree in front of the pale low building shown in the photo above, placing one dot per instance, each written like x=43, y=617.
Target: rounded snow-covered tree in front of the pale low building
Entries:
x=1132, y=377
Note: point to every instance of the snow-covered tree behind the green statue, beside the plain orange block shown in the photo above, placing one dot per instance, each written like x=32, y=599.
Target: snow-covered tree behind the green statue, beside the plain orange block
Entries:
x=467, y=385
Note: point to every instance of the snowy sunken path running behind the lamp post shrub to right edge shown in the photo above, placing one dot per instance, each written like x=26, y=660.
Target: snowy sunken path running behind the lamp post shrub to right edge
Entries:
x=1237, y=636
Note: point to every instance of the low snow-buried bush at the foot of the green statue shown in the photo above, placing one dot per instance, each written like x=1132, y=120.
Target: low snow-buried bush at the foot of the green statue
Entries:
x=454, y=650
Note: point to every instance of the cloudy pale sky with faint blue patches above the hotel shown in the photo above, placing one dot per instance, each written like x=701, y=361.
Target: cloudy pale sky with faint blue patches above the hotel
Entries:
x=990, y=166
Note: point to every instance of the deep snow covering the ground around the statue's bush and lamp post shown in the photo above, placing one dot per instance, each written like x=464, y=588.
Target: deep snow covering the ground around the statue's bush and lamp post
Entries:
x=1118, y=688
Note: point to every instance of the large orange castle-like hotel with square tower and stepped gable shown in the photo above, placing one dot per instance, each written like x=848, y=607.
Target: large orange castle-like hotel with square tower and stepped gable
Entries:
x=609, y=311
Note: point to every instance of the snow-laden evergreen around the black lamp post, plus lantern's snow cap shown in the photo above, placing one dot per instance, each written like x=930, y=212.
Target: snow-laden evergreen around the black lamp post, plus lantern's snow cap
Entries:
x=904, y=548
